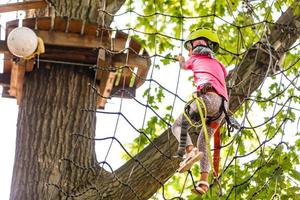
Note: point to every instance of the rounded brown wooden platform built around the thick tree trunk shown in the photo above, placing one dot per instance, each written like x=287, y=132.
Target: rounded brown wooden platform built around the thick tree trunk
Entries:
x=74, y=41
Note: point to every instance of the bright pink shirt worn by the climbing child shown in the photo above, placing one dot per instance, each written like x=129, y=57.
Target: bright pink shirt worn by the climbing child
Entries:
x=208, y=70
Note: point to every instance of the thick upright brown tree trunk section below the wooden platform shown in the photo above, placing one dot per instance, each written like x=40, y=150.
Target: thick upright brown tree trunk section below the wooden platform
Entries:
x=49, y=116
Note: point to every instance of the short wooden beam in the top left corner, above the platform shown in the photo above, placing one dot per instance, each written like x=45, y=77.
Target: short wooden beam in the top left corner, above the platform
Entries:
x=9, y=7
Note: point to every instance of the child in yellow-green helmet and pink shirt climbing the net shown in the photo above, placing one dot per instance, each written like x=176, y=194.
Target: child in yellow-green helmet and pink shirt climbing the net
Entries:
x=209, y=77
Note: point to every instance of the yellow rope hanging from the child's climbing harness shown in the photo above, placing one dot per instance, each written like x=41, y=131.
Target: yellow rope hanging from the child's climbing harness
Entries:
x=203, y=114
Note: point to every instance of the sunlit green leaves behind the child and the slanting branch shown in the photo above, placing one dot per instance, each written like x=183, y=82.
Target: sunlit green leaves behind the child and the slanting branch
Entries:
x=260, y=161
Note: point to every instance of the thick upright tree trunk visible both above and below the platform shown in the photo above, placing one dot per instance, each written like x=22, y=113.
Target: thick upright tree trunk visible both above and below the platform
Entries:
x=50, y=158
